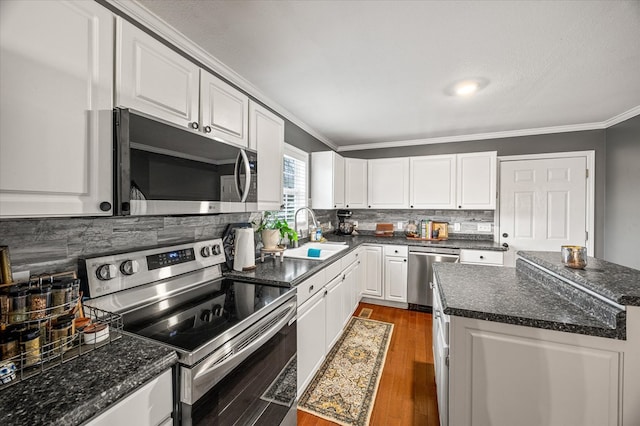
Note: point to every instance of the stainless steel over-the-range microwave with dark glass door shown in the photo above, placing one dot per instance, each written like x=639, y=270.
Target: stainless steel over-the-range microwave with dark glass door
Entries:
x=164, y=170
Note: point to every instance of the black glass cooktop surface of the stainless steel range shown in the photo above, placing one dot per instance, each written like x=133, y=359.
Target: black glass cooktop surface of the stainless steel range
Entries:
x=191, y=320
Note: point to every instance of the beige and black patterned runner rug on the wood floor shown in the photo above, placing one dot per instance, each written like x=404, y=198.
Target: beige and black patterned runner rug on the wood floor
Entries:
x=344, y=389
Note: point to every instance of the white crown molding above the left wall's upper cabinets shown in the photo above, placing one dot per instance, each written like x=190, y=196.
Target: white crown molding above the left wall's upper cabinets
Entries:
x=153, y=22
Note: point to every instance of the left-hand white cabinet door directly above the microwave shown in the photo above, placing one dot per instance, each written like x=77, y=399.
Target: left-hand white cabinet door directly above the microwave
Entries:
x=153, y=79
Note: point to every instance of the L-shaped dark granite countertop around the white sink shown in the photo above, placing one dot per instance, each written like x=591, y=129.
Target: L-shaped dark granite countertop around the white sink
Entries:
x=292, y=272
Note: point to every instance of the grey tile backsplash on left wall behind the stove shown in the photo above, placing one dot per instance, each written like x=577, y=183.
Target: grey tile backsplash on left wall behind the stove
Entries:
x=54, y=244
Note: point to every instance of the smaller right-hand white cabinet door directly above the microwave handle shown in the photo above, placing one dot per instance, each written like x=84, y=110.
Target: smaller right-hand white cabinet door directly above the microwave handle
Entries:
x=224, y=111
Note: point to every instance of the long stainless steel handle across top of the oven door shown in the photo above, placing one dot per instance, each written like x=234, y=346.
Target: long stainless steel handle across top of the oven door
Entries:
x=214, y=368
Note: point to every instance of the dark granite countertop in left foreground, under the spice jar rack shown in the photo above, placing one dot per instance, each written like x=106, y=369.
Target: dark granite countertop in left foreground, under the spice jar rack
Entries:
x=77, y=390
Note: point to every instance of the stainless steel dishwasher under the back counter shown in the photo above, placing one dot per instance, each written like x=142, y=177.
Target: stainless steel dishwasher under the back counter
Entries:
x=421, y=260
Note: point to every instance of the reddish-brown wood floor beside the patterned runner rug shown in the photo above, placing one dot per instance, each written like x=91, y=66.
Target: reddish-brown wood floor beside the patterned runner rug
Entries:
x=407, y=391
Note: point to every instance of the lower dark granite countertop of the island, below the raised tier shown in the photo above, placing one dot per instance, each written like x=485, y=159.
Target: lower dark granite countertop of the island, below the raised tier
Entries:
x=503, y=294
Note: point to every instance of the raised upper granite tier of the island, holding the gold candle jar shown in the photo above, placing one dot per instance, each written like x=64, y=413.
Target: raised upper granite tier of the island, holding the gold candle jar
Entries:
x=614, y=282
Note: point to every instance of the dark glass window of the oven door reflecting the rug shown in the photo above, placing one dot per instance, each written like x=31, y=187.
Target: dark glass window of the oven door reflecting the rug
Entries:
x=245, y=396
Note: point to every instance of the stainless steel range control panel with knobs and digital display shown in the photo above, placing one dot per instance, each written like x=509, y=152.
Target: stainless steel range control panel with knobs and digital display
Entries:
x=108, y=274
